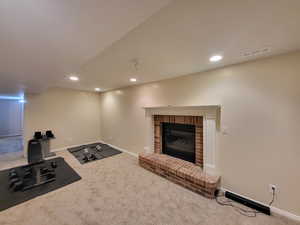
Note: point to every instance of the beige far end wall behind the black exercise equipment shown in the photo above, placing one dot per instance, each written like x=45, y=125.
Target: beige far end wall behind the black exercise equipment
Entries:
x=72, y=115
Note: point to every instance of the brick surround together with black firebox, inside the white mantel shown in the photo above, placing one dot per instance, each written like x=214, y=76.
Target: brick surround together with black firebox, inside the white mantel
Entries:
x=186, y=131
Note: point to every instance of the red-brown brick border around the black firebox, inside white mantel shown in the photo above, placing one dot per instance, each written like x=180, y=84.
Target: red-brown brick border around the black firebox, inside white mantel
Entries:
x=195, y=121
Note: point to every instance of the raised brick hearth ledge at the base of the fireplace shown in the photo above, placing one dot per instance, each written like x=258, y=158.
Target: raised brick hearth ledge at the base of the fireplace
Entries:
x=180, y=172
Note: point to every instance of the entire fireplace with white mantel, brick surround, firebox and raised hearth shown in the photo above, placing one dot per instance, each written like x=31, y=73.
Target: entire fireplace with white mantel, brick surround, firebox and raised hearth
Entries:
x=175, y=134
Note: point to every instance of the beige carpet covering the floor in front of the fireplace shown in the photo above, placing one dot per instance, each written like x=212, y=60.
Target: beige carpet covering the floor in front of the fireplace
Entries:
x=117, y=191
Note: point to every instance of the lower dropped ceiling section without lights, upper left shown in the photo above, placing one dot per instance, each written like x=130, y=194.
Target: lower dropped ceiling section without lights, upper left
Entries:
x=41, y=41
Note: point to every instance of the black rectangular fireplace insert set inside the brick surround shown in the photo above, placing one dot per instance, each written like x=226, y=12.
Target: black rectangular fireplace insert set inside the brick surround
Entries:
x=178, y=140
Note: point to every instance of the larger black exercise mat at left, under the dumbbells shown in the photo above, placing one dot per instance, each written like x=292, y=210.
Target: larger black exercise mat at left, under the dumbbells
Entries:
x=14, y=192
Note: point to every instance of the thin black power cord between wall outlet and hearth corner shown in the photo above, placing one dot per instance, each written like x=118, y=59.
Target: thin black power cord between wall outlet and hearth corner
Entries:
x=242, y=211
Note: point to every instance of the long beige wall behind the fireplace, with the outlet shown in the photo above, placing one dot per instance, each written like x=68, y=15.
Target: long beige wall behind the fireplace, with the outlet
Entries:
x=260, y=112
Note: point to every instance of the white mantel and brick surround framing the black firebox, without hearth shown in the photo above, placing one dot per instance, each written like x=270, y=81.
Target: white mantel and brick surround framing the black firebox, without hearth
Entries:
x=205, y=118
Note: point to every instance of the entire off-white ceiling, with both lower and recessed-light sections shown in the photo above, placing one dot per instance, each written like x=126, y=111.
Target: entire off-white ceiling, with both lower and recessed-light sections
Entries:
x=108, y=42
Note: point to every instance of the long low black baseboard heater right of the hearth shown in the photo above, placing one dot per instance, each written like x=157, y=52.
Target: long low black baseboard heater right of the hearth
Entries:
x=247, y=202
